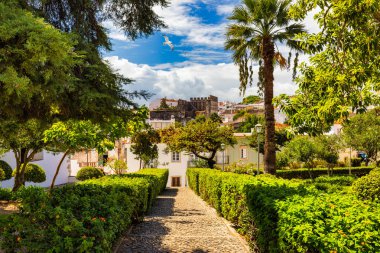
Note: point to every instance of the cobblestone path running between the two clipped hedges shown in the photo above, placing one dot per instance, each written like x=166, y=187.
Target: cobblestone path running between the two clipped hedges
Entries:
x=182, y=222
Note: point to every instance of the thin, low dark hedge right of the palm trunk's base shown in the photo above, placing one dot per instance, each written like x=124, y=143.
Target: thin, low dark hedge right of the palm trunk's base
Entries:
x=316, y=172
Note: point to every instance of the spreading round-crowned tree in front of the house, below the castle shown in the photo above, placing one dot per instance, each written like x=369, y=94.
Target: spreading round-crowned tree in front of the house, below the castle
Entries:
x=201, y=137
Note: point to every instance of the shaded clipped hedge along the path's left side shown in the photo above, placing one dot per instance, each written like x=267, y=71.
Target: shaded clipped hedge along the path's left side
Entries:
x=85, y=217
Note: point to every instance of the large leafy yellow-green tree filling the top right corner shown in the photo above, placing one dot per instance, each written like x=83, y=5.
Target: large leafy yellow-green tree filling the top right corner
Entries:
x=342, y=76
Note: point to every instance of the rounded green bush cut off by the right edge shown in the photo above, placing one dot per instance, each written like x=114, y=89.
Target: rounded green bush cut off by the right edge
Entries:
x=368, y=187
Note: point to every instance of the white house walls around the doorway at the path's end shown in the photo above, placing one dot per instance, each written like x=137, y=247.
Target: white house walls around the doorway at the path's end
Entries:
x=176, y=169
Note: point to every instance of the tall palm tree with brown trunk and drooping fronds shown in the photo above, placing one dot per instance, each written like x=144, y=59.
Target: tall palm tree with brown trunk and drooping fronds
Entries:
x=258, y=26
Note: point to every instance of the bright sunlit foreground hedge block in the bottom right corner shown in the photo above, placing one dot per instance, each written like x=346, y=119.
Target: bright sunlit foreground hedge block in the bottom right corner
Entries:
x=328, y=223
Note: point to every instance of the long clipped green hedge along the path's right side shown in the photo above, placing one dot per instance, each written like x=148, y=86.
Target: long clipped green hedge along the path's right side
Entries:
x=278, y=215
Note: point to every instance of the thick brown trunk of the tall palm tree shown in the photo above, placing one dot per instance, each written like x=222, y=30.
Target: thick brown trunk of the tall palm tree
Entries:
x=270, y=144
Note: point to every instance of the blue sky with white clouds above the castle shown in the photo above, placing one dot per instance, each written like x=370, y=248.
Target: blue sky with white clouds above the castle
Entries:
x=198, y=66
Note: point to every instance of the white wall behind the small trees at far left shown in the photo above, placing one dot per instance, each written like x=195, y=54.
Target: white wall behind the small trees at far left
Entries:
x=49, y=163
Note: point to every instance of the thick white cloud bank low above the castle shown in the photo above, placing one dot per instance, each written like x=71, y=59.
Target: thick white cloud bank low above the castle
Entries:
x=194, y=79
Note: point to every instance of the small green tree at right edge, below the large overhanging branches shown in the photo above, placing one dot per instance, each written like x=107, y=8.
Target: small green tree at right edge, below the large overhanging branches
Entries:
x=361, y=132
